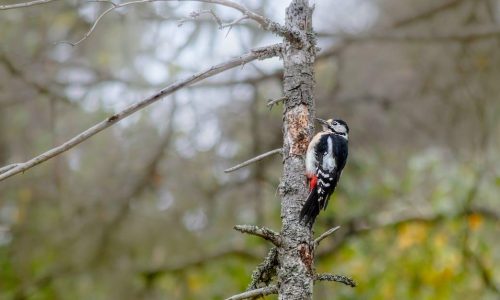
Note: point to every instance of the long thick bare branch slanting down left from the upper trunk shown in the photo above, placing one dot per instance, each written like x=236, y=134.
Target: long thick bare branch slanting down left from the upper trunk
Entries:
x=258, y=53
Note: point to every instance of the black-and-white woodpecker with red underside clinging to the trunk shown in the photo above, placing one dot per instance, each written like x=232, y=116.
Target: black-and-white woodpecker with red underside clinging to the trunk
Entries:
x=325, y=158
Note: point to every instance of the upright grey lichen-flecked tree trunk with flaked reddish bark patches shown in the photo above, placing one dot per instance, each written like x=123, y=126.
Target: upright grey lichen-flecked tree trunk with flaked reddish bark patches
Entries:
x=295, y=273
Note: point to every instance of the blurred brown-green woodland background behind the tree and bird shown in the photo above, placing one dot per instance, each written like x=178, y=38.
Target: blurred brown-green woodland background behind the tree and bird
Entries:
x=144, y=210
